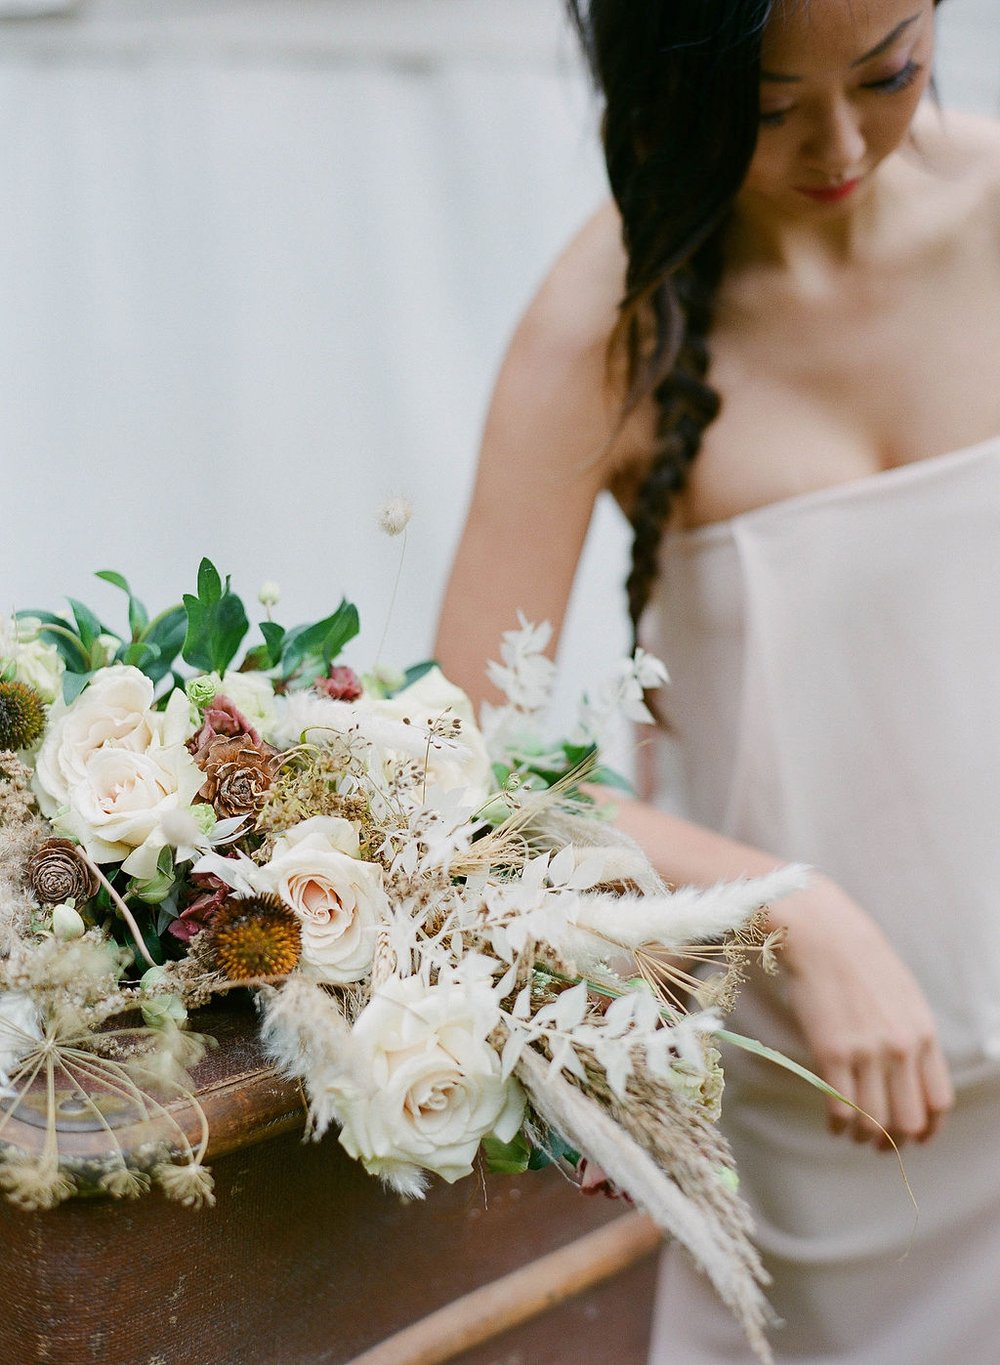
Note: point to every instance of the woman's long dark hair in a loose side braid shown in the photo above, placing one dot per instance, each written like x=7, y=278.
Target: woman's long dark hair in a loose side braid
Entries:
x=681, y=117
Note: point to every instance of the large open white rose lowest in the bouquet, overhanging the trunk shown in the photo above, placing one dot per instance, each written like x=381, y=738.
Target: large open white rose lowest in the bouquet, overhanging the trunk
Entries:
x=425, y=1086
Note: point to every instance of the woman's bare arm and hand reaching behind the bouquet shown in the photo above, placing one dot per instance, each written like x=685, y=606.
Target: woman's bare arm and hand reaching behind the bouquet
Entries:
x=550, y=447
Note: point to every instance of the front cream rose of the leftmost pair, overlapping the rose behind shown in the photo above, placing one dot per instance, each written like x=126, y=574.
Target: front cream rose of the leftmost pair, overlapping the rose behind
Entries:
x=117, y=807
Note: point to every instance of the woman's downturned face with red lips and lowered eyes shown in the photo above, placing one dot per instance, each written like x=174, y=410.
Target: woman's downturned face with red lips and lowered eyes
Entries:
x=841, y=81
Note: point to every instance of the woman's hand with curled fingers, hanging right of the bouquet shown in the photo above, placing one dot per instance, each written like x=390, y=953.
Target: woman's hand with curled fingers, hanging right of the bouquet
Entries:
x=864, y=1018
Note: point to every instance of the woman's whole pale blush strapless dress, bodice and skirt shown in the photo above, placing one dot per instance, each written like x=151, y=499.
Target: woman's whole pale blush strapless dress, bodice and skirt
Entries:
x=836, y=667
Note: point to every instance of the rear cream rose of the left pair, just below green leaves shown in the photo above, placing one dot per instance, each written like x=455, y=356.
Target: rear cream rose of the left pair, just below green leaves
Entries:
x=114, y=710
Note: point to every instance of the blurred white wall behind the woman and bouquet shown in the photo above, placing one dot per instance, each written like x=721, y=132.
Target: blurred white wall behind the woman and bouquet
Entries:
x=259, y=265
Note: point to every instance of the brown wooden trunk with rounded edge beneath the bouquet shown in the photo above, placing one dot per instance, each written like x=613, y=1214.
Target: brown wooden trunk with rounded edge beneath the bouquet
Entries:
x=306, y=1259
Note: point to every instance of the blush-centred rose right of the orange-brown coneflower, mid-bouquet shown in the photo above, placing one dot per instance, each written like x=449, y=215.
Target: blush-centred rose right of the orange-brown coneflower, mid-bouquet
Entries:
x=340, y=900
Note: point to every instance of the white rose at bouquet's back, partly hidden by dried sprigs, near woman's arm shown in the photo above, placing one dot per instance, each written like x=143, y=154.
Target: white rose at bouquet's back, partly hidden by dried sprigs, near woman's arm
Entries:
x=460, y=765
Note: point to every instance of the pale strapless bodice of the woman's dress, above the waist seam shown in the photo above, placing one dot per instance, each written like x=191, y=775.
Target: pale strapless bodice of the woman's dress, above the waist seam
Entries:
x=836, y=700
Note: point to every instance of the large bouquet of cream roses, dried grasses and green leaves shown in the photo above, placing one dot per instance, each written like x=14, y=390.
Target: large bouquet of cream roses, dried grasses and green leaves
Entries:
x=448, y=941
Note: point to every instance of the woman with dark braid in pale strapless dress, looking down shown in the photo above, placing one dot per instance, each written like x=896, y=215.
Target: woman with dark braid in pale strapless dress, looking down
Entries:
x=788, y=379
